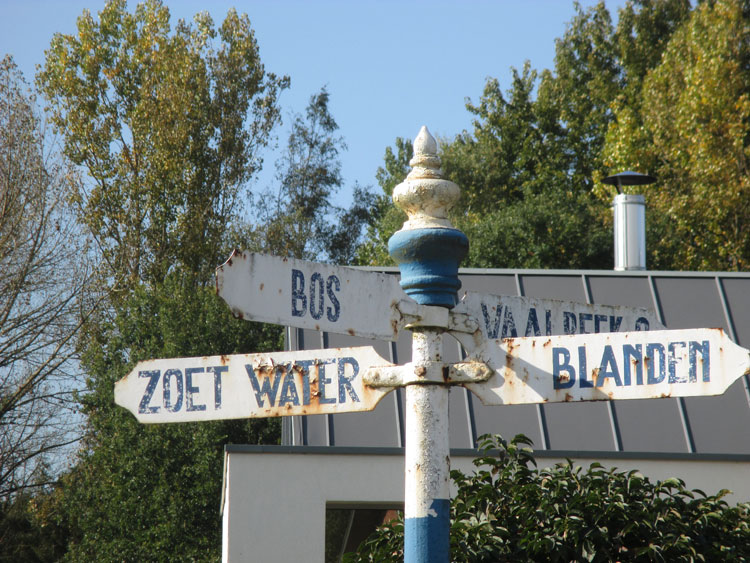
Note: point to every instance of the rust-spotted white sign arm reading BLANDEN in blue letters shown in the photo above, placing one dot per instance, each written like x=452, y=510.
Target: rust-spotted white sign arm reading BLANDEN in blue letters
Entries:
x=592, y=367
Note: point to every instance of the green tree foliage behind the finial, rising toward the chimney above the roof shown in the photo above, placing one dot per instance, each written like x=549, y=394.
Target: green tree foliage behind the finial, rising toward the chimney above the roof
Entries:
x=528, y=169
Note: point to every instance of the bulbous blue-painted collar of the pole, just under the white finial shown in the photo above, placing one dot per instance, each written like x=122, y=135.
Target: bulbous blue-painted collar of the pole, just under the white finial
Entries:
x=428, y=260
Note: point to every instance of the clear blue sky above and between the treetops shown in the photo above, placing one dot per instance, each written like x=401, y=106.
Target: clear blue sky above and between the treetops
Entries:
x=389, y=66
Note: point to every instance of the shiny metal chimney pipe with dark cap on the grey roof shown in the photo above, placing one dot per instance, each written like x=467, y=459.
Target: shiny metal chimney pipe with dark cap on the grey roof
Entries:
x=630, y=221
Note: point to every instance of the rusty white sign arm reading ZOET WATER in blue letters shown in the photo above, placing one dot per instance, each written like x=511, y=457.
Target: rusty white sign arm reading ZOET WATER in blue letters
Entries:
x=251, y=385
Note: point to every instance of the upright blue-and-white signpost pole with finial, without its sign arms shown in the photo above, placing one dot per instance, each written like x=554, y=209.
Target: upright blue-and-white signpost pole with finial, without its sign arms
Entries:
x=428, y=250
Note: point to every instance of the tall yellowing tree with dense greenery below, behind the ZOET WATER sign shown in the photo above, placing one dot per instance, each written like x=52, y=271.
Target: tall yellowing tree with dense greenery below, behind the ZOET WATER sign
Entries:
x=165, y=126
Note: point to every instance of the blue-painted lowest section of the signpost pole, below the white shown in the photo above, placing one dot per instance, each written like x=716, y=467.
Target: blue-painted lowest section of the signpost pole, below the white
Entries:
x=427, y=539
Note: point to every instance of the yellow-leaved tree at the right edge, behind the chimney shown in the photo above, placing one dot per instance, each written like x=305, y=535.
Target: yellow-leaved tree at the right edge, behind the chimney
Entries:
x=691, y=131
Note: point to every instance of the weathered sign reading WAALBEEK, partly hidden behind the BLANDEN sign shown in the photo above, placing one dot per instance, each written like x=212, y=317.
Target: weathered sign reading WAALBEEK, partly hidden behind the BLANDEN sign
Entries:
x=502, y=316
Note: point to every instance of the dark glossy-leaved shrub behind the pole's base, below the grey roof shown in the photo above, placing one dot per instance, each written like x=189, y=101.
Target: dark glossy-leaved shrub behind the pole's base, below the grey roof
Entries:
x=509, y=510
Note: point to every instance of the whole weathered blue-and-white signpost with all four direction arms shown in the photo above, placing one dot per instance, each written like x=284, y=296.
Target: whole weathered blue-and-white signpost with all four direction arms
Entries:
x=520, y=350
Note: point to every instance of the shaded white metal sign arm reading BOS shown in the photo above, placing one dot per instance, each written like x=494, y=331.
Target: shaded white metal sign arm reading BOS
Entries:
x=309, y=295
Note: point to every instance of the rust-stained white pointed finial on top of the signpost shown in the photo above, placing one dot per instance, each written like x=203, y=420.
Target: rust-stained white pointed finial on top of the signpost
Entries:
x=425, y=195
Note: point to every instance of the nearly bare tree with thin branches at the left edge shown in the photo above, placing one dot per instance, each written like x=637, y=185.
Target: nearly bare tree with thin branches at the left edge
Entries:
x=42, y=277
